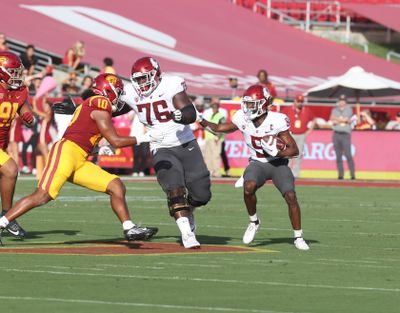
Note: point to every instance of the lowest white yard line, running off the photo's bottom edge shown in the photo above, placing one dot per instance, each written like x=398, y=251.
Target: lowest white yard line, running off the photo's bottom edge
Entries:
x=137, y=304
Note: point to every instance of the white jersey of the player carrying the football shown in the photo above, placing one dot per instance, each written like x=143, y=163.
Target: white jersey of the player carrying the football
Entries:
x=274, y=124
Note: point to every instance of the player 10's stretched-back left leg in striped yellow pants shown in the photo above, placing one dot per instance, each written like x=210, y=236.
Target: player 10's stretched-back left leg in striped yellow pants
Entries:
x=59, y=167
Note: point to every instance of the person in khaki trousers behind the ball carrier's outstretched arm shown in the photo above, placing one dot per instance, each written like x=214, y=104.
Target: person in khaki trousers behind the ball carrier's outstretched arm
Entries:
x=213, y=142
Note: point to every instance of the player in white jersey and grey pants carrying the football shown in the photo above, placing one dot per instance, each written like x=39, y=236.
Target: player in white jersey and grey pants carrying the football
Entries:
x=266, y=133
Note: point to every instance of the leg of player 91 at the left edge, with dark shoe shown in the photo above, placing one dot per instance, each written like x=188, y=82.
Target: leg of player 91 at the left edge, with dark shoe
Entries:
x=8, y=179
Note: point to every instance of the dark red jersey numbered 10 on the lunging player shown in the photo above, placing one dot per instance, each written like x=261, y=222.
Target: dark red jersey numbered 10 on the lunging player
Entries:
x=82, y=129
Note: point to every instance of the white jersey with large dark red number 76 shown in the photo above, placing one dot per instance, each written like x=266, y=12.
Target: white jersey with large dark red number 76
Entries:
x=154, y=111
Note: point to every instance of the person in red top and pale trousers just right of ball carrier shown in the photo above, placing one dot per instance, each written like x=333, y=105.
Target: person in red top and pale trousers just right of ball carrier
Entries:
x=302, y=123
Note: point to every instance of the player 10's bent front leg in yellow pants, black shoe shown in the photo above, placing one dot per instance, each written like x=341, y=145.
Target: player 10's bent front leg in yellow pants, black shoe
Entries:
x=113, y=186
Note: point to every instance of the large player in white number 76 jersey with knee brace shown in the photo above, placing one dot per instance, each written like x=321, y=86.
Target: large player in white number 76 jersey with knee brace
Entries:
x=161, y=103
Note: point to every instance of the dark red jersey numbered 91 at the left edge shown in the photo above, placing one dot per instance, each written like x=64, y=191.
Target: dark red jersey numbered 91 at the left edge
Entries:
x=10, y=103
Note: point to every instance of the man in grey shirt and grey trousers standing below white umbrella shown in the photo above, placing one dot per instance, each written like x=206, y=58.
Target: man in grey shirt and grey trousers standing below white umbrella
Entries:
x=341, y=118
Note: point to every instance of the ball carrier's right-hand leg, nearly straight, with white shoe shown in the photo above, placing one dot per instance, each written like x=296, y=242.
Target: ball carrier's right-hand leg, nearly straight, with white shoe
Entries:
x=283, y=179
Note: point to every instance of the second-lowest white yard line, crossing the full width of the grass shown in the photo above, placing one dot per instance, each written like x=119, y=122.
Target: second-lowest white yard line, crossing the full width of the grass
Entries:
x=209, y=280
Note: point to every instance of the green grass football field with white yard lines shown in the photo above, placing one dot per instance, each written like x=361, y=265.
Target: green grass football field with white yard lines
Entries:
x=353, y=264
